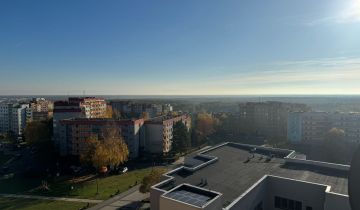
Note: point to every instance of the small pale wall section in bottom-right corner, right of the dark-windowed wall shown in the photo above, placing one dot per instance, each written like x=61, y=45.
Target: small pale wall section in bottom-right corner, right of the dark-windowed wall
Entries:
x=335, y=201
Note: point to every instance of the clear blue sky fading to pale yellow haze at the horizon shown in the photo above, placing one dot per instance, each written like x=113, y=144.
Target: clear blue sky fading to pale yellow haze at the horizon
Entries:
x=179, y=47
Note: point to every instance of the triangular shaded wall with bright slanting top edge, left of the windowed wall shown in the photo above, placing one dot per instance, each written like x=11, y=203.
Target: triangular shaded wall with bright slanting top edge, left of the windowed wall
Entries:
x=252, y=197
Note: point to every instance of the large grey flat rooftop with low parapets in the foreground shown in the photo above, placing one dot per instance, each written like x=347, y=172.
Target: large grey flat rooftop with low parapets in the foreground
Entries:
x=237, y=169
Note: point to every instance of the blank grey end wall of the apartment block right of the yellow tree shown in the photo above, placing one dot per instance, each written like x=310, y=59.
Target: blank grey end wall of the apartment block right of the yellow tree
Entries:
x=154, y=138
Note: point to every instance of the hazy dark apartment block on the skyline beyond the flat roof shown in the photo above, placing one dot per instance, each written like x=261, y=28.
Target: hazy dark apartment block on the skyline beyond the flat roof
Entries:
x=268, y=119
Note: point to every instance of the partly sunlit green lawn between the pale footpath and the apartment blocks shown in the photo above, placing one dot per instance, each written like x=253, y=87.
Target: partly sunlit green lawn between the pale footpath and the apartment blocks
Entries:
x=108, y=185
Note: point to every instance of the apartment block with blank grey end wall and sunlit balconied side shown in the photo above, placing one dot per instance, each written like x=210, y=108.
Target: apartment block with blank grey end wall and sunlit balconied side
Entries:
x=159, y=132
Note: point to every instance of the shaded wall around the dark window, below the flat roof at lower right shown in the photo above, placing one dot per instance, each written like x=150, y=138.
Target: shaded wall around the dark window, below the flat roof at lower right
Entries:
x=309, y=194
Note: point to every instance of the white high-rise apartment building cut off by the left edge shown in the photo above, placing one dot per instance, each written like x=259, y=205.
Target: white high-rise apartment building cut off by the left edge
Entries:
x=12, y=117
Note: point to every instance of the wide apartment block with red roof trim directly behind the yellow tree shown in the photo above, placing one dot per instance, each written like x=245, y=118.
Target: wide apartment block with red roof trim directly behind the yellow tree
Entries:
x=75, y=133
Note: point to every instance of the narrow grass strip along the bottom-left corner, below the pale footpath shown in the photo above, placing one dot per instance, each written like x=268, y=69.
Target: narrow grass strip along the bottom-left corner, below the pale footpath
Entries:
x=31, y=204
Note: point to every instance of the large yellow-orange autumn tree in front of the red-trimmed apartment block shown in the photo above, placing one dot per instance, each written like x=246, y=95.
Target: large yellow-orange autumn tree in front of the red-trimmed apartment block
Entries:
x=107, y=150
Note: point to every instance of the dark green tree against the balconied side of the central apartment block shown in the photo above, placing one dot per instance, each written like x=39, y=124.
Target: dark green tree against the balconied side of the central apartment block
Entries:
x=181, y=138
